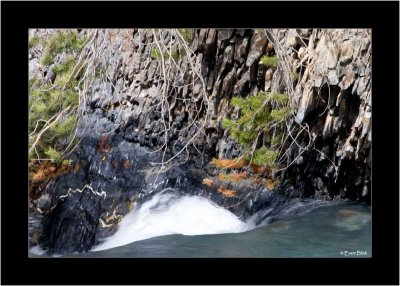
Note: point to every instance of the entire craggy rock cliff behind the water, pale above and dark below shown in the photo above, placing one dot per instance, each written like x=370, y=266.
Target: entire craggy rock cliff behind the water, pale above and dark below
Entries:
x=140, y=102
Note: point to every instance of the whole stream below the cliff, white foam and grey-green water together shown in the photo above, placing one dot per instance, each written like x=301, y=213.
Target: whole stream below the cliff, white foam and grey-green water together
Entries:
x=169, y=225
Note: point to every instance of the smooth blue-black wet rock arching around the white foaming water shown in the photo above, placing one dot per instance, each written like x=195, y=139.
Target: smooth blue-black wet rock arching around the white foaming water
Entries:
x=88, y=204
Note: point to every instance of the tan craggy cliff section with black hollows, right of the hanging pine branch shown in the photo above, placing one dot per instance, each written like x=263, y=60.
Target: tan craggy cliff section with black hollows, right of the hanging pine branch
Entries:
x=333, y=95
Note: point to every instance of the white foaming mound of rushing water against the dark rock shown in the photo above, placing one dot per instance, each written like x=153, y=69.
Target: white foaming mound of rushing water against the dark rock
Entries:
x=166, y=214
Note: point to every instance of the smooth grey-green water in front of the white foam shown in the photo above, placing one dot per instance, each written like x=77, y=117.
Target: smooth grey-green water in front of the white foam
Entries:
x=330, y=231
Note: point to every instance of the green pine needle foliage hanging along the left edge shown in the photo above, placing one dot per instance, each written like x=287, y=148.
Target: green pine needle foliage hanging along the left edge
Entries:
x=46, y=101
